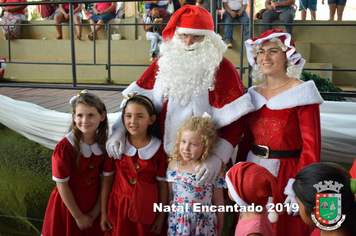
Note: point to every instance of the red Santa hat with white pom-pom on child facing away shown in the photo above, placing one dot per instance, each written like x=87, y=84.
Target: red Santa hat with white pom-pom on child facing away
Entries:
x=250, y=183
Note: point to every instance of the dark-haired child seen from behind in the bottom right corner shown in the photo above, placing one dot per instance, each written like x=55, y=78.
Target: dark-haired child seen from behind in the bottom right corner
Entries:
x=306, y=188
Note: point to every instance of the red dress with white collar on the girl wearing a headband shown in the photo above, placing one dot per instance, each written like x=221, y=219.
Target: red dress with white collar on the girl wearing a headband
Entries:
x=152, y=165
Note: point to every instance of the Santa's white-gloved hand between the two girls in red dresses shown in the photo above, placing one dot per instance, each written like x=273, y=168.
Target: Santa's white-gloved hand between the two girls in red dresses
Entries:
x=115, y=146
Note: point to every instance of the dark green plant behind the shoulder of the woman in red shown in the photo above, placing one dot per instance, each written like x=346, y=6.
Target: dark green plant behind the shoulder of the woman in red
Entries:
x=323, y=85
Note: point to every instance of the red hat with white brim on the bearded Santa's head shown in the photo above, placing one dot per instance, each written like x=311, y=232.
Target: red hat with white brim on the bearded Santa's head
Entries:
x=189, y=19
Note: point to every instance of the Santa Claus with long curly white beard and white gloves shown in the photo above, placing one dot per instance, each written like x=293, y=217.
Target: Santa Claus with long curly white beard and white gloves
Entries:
x=192, y=77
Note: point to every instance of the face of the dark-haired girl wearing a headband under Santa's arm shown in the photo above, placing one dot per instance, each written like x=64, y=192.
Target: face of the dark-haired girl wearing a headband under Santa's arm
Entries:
x=137, y=119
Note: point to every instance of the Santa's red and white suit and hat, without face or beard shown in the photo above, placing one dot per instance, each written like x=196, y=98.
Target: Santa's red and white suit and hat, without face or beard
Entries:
x=226, y=99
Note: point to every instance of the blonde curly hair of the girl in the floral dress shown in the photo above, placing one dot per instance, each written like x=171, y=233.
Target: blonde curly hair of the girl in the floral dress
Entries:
x=204, y=127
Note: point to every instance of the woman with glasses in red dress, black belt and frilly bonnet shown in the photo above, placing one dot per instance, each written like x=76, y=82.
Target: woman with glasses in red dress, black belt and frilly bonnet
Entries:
x=283, y=134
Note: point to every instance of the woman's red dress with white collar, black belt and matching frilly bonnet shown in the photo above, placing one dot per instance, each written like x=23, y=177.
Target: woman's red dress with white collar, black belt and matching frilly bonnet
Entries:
x=288, y=122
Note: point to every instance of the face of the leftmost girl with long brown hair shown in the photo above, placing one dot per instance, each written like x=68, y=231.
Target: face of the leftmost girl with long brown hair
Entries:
x=87, y=119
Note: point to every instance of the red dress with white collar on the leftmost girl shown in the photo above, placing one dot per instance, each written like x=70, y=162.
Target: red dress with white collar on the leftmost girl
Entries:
x=84, y=184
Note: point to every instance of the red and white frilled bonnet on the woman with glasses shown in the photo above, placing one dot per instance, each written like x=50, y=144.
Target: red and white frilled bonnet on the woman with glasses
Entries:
x=286, y=39
